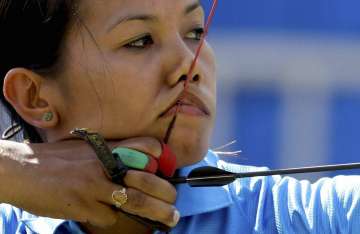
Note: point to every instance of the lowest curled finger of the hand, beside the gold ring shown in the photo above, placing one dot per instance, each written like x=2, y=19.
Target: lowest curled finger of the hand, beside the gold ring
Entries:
x=146, y=206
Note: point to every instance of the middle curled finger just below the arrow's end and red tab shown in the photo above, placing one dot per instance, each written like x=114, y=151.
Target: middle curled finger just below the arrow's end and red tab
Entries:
x=151, y=185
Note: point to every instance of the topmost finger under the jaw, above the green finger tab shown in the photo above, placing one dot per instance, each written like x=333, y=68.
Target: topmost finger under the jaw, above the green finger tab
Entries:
x=147, y=145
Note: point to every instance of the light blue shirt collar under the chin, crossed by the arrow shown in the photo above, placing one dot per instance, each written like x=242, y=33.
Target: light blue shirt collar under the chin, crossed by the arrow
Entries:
x=193, y=201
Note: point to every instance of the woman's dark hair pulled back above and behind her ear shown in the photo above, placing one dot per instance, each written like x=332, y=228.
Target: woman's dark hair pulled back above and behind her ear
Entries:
x=31, y=36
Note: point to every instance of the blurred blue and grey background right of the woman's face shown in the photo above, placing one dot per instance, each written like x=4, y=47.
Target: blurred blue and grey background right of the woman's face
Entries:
x=289, y=81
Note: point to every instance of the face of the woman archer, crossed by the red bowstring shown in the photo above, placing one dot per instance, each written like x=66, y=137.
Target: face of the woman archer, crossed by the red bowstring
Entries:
x=124, y=65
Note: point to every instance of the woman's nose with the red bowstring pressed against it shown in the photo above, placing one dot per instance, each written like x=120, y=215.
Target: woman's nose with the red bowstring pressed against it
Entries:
x=180, y=59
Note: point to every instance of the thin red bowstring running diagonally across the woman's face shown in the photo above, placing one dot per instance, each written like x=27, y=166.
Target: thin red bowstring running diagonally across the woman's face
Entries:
x=191, y=70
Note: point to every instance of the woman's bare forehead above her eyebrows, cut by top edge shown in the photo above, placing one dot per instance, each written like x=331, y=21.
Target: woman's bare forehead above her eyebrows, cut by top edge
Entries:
x=106, y=11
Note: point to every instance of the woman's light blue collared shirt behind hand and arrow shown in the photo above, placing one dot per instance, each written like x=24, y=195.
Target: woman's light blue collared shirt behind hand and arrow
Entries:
x=251, y=205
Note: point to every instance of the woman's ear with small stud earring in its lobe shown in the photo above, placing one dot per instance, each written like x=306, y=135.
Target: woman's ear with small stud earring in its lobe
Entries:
x=22, y=89
